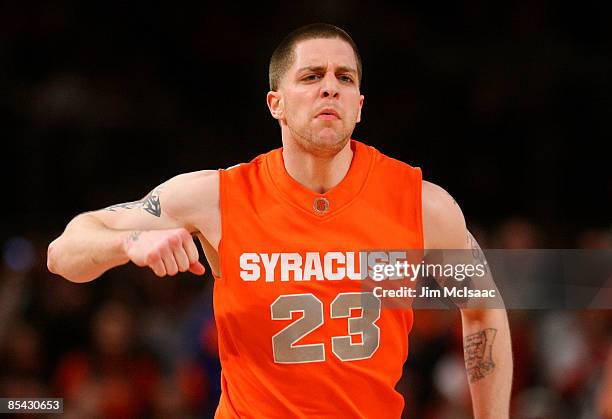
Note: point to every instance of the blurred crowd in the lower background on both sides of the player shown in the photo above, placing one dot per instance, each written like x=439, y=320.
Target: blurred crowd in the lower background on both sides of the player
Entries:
x=132, y=345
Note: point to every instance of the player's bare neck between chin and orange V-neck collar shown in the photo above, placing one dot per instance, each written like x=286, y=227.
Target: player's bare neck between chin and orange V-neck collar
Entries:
x=317, y=173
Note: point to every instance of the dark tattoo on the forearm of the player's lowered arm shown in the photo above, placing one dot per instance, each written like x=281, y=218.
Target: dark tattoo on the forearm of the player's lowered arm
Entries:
x=478, y=354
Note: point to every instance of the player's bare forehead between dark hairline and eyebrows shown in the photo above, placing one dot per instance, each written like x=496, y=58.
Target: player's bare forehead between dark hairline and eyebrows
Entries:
x=314, y=52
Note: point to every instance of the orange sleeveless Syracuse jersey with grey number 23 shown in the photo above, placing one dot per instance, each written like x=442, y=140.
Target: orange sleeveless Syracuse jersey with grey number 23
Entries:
x=298, y=336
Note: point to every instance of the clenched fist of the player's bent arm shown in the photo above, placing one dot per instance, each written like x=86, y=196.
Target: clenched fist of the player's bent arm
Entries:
x=166, y=252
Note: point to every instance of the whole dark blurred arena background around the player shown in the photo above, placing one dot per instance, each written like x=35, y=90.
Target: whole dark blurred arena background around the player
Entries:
x=508, y=107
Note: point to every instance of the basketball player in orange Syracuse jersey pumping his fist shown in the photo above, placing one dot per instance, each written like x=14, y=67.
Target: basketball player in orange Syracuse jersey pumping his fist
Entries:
x=281, y=233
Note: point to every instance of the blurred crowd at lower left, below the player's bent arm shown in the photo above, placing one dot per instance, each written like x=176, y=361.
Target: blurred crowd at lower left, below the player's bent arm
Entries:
x=127, y=345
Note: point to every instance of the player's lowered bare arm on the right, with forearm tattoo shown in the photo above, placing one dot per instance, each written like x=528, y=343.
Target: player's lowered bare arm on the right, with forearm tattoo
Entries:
x=486, y=333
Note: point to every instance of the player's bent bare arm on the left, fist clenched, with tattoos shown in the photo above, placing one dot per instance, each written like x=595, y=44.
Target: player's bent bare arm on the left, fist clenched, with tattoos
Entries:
x=153, y=232
